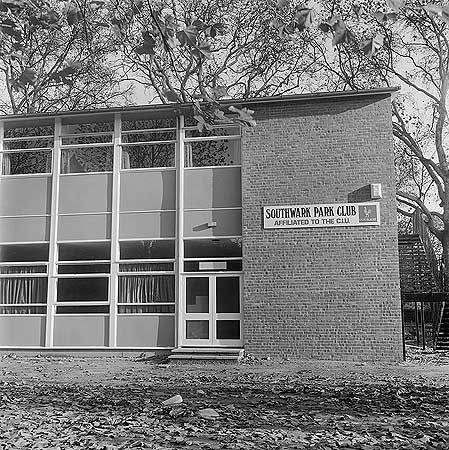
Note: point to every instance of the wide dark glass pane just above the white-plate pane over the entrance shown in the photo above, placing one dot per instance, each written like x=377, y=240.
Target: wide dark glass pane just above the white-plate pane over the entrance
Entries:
x=213, y=248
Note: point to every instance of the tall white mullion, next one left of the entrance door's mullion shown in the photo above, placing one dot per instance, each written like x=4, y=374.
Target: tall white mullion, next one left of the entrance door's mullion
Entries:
x=115, y=251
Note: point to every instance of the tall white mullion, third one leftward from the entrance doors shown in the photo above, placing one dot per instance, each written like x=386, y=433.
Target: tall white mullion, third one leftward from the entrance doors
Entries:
x=53, y=246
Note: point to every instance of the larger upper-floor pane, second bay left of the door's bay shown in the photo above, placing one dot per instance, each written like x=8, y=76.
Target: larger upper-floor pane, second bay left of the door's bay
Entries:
x=87, y=159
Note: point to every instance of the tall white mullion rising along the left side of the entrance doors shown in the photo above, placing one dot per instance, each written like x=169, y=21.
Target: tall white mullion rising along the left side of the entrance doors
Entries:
x=179, y=250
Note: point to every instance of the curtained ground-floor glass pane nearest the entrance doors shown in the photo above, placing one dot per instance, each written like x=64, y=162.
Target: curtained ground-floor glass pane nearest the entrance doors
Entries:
x=146, y=289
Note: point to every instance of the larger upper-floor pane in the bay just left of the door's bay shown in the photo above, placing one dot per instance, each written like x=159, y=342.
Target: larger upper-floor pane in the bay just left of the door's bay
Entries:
x=150, y=155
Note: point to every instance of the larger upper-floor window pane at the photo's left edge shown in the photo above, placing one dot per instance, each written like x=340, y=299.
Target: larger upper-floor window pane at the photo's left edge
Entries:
x=26, y=163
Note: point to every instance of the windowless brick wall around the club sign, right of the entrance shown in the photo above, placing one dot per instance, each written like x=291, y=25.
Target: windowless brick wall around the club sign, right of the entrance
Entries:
x=321, y=292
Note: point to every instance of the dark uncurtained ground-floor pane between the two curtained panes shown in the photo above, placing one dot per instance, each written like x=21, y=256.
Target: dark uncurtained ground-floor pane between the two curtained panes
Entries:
x=82, y=289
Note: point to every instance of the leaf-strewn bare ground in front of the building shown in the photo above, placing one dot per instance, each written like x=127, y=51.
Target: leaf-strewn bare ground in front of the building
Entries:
x=76, y=402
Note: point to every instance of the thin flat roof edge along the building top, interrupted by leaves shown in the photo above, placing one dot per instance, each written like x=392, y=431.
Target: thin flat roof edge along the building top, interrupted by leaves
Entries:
x=184, y=106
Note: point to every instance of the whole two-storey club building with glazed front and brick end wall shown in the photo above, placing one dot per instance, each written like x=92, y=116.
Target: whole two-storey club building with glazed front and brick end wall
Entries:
x=128, y=228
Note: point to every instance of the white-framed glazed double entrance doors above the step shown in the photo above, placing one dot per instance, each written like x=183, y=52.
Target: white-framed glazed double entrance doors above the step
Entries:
x=211, y=311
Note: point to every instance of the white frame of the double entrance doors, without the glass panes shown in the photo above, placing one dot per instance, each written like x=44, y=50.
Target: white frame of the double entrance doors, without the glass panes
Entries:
x=212, y=316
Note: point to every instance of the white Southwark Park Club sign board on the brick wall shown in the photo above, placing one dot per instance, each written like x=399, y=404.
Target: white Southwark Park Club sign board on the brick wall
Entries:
x=321, y=215
